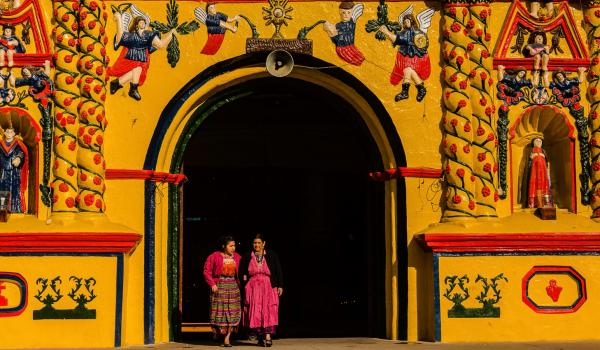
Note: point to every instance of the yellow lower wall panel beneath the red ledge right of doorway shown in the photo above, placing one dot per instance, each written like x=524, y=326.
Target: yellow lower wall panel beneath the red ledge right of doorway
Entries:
x=517, y=321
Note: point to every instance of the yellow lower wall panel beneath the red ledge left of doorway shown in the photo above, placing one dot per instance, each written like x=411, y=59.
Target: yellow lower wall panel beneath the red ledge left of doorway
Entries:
x=24, y=332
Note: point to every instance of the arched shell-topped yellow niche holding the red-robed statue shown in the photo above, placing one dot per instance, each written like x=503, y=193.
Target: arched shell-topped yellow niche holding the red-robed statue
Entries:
x=542, y=160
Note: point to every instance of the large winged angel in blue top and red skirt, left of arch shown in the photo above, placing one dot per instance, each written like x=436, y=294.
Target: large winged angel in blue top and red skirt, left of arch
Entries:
x=138, y=43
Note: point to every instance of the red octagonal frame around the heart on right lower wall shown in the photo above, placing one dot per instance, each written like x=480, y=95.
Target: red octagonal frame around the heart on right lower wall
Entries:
x=554, y=269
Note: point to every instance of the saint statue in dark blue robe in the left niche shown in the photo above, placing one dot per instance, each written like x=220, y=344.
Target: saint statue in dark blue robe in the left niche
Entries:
x=13, y=169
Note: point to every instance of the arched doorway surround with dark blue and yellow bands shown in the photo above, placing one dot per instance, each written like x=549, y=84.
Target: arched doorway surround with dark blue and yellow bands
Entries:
x=204, y=94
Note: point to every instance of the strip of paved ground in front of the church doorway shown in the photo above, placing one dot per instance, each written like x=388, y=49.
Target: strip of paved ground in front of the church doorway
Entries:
x=368, y=343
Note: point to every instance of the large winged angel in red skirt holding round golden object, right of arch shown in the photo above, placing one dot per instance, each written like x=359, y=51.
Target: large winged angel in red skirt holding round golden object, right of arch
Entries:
x=412, y=60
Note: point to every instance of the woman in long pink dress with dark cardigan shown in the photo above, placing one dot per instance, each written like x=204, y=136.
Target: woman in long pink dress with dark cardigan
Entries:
x=261, y=273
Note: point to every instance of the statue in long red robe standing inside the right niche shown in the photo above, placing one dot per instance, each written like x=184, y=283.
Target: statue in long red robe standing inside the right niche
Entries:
x=538, y=178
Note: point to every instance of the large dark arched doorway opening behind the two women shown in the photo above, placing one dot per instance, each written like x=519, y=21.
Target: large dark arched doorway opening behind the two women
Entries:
x=290, y=159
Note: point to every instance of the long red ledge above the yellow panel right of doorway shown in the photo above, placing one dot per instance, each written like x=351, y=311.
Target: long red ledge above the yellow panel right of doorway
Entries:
x=507, y=242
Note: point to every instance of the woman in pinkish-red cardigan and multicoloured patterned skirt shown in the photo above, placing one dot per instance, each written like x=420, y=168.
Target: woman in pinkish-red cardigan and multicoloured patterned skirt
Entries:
x=221, y=274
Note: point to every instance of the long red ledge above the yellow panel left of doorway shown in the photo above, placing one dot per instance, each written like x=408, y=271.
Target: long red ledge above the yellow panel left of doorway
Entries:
x=74, y=242
